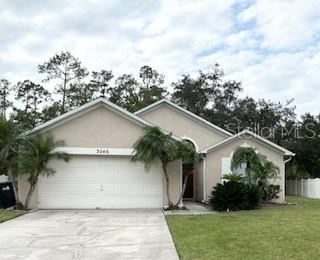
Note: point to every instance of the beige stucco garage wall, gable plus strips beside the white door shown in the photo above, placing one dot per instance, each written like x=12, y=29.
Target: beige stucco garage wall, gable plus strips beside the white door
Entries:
x=101, y=127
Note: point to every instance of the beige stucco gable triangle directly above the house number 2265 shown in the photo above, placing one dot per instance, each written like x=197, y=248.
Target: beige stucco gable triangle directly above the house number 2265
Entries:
x=99, y=128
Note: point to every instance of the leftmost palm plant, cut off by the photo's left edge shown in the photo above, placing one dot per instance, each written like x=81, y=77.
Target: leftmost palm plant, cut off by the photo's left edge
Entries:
x=10, y=144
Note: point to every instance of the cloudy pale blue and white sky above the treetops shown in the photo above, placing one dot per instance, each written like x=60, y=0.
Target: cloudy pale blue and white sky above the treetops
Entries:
x=271, y=46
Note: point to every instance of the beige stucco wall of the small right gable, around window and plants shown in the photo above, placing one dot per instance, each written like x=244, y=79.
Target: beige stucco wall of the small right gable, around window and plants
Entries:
x=213, y=163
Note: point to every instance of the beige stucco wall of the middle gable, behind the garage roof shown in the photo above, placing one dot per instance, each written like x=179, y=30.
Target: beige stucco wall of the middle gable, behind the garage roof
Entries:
x=182, y=125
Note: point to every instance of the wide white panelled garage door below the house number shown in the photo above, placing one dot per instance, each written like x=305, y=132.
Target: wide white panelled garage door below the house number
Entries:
x=89, y=182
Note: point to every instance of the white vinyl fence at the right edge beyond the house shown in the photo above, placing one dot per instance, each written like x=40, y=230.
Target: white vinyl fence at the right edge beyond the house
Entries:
x=306, y=187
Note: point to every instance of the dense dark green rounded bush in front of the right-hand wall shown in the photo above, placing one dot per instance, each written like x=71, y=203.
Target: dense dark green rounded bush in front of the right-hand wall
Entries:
x=234, y=195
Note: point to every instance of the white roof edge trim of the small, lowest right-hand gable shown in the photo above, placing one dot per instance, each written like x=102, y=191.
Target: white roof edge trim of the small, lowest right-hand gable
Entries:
x=254, y=135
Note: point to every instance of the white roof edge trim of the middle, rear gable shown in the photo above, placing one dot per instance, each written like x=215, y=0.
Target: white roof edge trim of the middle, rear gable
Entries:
x=184, y=111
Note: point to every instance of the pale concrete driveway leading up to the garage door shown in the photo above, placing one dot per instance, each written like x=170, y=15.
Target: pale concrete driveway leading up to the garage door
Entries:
x=86, y=234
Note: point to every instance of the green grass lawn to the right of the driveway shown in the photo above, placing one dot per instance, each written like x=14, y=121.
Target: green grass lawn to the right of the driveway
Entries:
x=277, y=232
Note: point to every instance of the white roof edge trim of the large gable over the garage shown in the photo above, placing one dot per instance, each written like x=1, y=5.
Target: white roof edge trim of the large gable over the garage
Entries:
x=88, y=107
